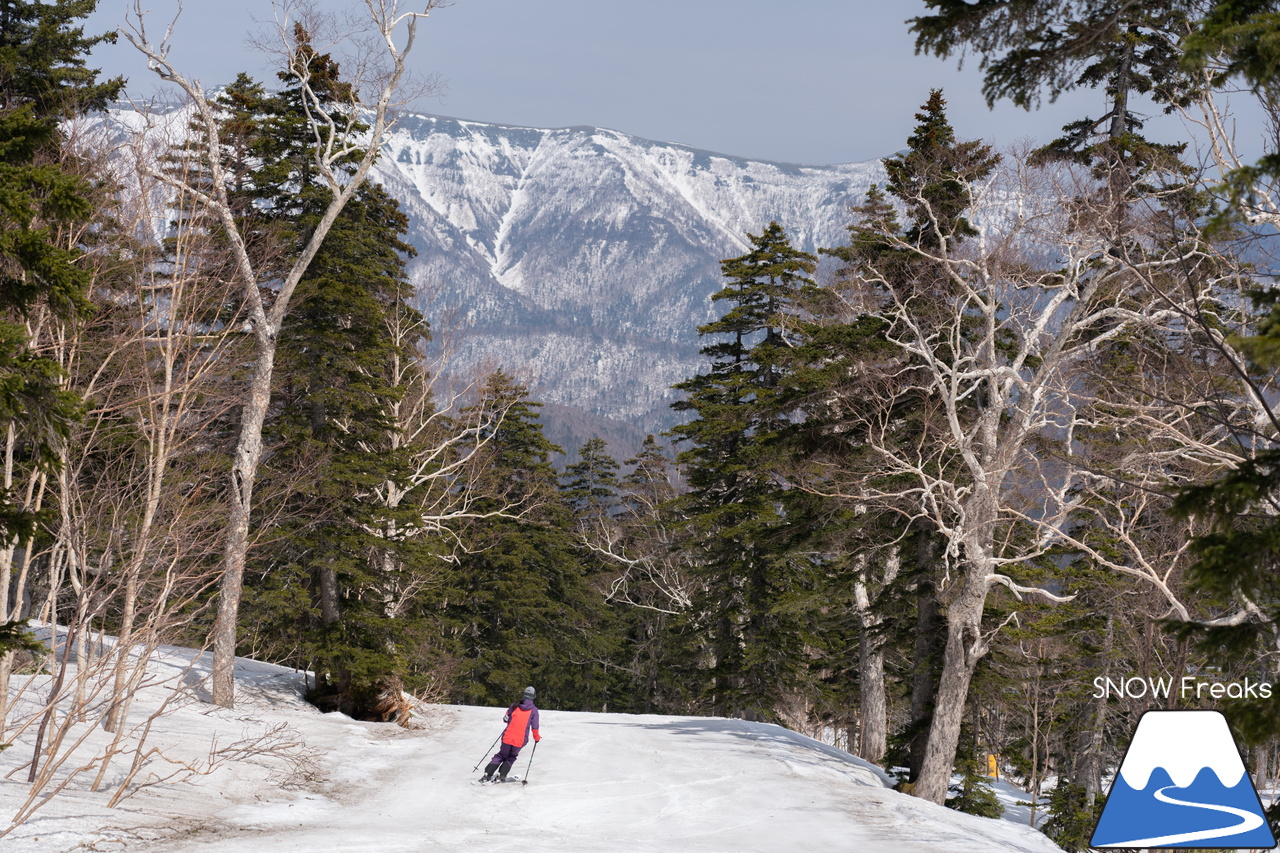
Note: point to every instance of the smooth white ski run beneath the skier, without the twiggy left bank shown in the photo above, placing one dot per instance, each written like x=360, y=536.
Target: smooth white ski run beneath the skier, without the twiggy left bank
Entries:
x=612, y=783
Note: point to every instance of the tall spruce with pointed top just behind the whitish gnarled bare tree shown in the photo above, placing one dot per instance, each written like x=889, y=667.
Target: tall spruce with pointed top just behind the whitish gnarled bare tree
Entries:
x=845, y=367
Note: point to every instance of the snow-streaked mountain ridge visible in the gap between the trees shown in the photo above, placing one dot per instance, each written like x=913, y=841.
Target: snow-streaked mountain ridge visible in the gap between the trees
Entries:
x=584, y=259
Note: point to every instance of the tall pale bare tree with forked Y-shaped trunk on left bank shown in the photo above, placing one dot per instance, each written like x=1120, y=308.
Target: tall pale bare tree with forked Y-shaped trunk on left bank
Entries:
x=337, y=140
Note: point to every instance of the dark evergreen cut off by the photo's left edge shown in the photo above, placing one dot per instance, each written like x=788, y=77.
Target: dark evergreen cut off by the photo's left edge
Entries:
x=44, y=197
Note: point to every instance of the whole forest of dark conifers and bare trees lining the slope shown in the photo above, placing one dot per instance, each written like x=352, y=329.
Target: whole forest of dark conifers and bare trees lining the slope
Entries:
x=953, y=486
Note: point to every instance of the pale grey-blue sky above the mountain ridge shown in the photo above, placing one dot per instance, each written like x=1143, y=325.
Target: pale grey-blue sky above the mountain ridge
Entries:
x=807, y=81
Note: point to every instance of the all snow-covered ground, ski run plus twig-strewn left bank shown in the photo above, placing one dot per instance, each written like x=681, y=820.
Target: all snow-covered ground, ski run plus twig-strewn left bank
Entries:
x=277, y=776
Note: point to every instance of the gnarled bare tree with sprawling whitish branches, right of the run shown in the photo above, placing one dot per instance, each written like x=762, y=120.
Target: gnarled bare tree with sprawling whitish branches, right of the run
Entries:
x=993, y=372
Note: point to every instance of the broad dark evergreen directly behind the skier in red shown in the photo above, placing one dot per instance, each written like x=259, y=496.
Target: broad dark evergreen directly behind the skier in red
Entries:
x=522, y=606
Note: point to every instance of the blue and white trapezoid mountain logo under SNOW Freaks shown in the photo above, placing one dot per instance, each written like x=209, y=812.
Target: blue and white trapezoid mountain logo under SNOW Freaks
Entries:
x=1182, y=784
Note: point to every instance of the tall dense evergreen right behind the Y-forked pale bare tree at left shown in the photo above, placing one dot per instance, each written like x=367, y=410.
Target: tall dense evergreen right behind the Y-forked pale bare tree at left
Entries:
x=326, y=594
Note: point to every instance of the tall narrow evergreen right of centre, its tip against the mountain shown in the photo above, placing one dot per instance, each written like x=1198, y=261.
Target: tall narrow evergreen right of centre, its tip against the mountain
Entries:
x=735, y=509
